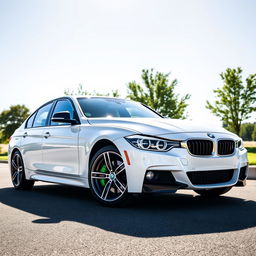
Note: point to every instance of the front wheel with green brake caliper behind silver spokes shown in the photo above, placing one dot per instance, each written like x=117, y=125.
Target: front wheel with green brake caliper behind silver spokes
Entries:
x=107, y=177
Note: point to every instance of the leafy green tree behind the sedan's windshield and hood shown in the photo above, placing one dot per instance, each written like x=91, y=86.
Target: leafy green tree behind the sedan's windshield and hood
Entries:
x=158, y=93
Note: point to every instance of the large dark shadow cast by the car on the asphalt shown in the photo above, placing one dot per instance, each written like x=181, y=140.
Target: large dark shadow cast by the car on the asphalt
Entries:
x=149, y=216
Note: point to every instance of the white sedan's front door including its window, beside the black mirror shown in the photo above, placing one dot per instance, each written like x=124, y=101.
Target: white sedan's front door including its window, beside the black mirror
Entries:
x=60, y=142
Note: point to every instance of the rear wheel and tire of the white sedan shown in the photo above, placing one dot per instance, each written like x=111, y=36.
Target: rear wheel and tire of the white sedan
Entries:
x=18, y=177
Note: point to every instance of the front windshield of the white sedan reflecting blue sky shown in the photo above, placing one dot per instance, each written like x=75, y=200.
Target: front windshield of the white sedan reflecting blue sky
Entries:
x=111, y=107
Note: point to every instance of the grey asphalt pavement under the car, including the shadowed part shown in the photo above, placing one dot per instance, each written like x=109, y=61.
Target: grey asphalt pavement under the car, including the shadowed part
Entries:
x=61, y=220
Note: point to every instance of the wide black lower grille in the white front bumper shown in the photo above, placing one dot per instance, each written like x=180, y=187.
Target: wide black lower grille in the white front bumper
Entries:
x=210, y=177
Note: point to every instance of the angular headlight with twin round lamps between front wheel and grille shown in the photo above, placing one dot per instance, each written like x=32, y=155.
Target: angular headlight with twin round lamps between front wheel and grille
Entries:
x=151, y=143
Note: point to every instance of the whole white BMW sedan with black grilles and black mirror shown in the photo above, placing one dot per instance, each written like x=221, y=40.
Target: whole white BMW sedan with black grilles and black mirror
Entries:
x=119, y=147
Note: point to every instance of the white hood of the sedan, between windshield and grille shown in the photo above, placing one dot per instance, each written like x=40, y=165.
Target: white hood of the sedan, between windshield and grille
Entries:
x=156, y=126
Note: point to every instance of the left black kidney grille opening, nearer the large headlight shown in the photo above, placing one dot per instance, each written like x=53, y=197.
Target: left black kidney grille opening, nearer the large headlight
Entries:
x=200, y=147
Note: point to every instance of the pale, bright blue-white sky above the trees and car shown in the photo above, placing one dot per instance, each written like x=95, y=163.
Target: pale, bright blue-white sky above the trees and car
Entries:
x=48, y=46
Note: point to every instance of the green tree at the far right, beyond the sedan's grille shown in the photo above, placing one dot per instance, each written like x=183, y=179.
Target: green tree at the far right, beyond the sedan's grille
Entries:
x=234, y=101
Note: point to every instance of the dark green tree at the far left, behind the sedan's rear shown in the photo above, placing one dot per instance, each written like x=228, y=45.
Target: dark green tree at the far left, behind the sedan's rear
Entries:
x=11, y=119
